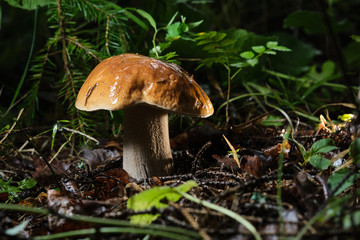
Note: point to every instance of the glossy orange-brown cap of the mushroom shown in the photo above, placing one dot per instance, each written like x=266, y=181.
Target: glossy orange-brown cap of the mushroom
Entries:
x=128, y=79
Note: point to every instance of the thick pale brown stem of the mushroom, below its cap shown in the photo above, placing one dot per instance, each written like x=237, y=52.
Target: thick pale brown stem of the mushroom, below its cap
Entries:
x=147, y=150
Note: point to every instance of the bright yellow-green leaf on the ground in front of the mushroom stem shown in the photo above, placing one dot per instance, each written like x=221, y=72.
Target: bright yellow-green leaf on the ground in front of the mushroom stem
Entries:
x=156, y=197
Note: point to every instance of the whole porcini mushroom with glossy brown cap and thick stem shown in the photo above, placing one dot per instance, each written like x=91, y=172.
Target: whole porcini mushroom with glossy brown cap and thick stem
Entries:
x=147, y=89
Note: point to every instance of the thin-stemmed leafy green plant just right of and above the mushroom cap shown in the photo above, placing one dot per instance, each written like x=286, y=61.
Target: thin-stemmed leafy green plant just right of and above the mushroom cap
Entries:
x=235, y=50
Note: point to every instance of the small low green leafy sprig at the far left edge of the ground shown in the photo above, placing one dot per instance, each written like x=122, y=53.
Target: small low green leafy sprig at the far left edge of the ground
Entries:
x=7, y=187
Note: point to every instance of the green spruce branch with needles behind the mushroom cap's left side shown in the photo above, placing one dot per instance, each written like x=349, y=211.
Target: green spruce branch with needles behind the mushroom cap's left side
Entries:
x=78, y=48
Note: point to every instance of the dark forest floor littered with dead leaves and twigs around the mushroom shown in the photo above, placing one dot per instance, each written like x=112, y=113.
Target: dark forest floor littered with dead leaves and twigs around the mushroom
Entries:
x=293, y=199
